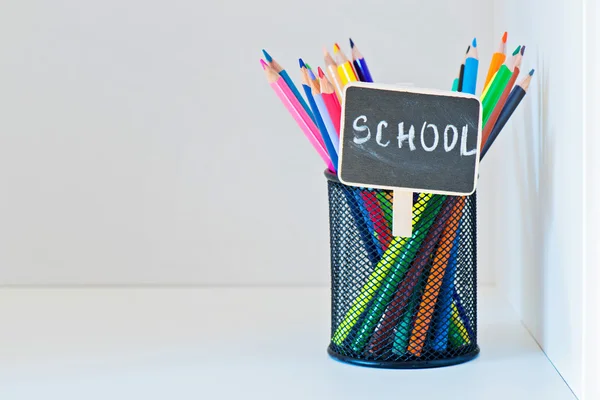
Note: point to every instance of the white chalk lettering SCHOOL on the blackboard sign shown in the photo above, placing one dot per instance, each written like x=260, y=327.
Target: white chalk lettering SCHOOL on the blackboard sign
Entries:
x=431, y=137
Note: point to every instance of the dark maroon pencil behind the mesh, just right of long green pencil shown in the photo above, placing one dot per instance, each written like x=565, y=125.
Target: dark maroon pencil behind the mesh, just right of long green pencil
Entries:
x=396, y=308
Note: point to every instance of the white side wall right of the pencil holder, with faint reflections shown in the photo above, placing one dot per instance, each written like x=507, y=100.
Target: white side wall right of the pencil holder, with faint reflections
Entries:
x=537, y=216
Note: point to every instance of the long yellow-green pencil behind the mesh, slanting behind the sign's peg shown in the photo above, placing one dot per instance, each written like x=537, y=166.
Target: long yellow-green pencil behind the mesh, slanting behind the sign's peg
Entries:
x=377, y=277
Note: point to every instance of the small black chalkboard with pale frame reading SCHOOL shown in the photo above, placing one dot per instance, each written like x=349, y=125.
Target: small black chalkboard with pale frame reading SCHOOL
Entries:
x=413, y=139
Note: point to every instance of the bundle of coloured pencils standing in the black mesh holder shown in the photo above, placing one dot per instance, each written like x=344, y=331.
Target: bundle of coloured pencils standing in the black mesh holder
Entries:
x=408, y=302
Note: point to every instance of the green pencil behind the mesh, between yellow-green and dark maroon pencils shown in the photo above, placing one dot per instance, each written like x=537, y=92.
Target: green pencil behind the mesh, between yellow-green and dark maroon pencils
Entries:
x=398, y=272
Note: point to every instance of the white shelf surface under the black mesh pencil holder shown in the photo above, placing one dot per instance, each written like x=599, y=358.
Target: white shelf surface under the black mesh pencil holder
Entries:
x=231, y=343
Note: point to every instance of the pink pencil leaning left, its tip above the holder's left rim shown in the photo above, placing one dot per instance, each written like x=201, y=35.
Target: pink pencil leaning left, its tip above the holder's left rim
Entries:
x=295, y=108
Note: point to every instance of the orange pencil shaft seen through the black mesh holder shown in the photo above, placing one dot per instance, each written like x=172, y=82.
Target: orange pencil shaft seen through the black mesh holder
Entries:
x=434, y=282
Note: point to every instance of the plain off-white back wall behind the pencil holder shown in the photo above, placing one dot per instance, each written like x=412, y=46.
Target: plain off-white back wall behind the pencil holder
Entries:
x=140, y=142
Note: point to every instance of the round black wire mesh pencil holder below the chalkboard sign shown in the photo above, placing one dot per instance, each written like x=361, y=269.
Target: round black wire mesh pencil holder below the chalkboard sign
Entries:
x=402, y=302
